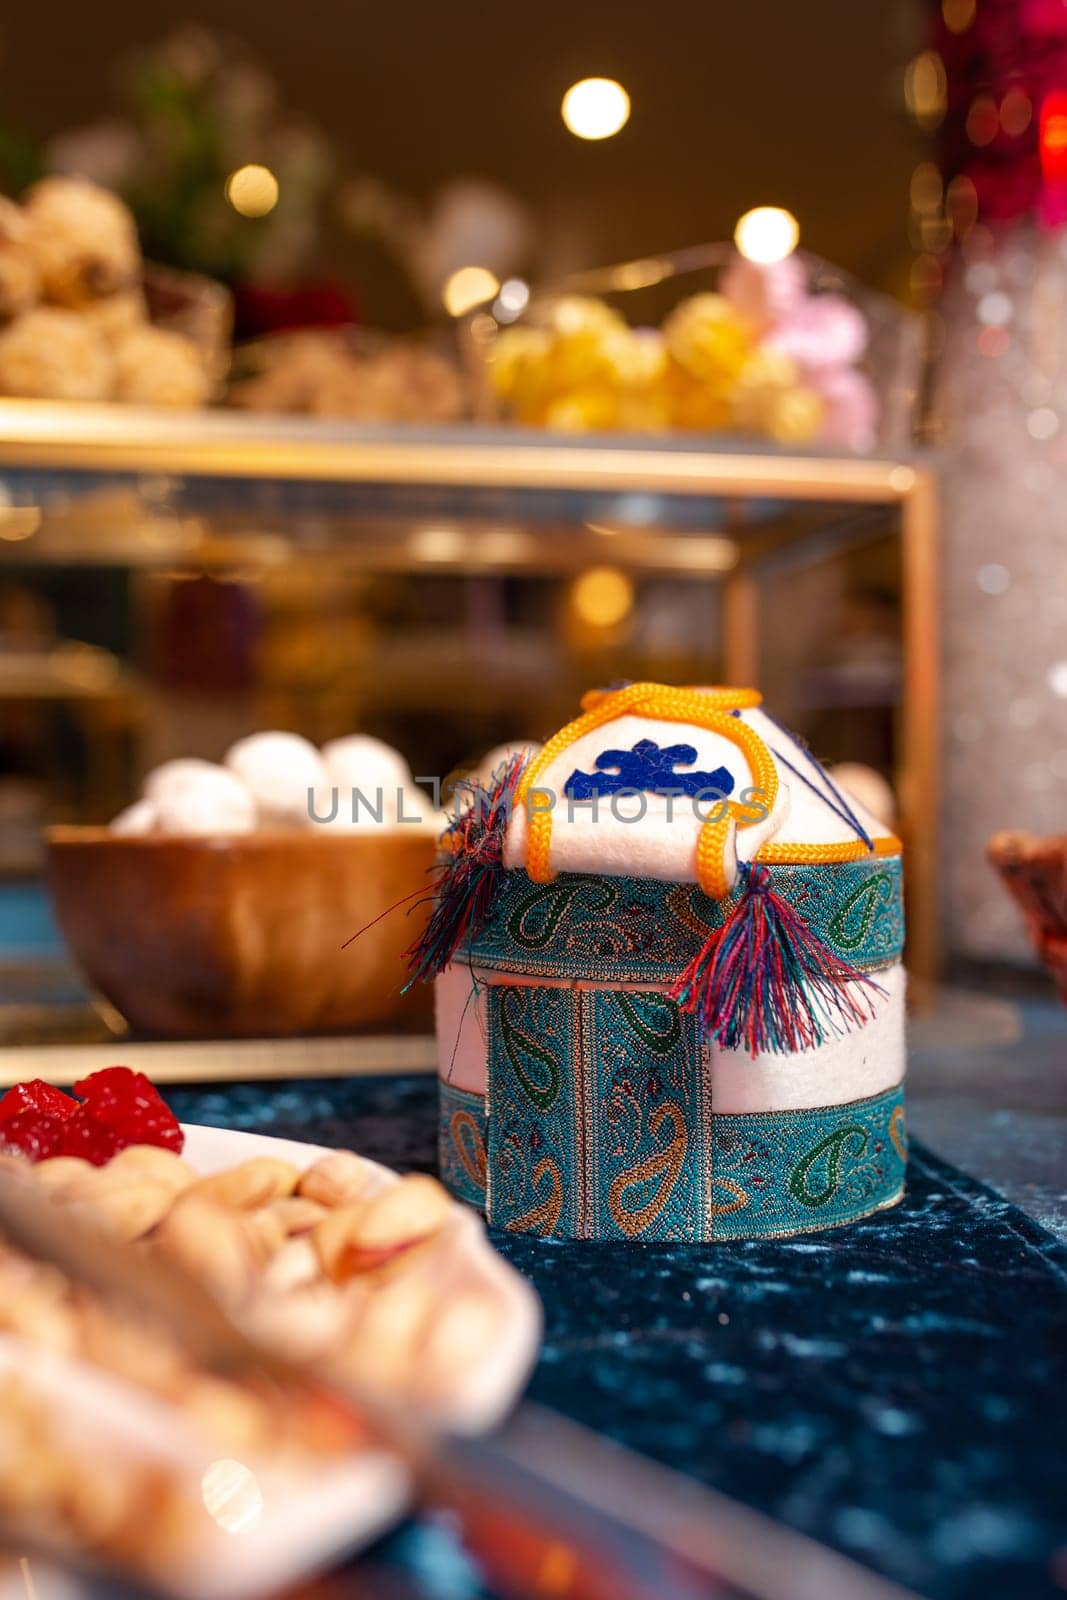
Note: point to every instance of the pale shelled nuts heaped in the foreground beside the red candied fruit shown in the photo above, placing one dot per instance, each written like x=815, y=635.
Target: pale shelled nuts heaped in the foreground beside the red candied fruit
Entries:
x=340, y=1265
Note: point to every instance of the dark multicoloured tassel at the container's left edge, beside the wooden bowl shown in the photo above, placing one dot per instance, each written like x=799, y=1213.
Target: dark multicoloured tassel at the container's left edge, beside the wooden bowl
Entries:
x=468, y=882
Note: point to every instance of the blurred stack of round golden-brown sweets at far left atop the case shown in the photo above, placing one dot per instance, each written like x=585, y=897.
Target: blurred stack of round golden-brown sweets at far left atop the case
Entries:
x=73, y=314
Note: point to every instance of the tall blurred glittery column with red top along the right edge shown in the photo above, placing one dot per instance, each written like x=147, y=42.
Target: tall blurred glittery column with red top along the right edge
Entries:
x=1001, y=414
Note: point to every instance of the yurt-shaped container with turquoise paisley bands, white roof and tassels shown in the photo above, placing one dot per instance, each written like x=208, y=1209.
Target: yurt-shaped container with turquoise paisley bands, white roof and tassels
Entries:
x=669, y=996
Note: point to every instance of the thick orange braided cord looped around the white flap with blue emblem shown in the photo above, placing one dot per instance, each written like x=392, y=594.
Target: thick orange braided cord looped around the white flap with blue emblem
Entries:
x=701, y=710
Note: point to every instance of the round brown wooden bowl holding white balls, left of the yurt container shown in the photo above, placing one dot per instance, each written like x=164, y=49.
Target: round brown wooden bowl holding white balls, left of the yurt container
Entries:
x=244, y=935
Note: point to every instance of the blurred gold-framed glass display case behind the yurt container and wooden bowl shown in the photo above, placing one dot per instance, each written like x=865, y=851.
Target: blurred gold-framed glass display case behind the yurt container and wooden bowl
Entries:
x=449, y=588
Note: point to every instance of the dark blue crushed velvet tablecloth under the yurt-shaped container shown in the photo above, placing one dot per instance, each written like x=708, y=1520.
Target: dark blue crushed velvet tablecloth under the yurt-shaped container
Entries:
x=897, y=1390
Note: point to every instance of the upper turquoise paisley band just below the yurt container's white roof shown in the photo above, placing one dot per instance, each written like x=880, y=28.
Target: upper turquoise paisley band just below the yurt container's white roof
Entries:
x=637, y=930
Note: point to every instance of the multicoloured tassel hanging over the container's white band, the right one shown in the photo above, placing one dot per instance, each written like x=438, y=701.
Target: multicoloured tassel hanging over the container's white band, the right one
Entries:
x=767, y=983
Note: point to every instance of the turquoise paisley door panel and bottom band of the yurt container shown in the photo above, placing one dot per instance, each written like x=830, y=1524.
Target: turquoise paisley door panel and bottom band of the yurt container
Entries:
x=602, y=1127
